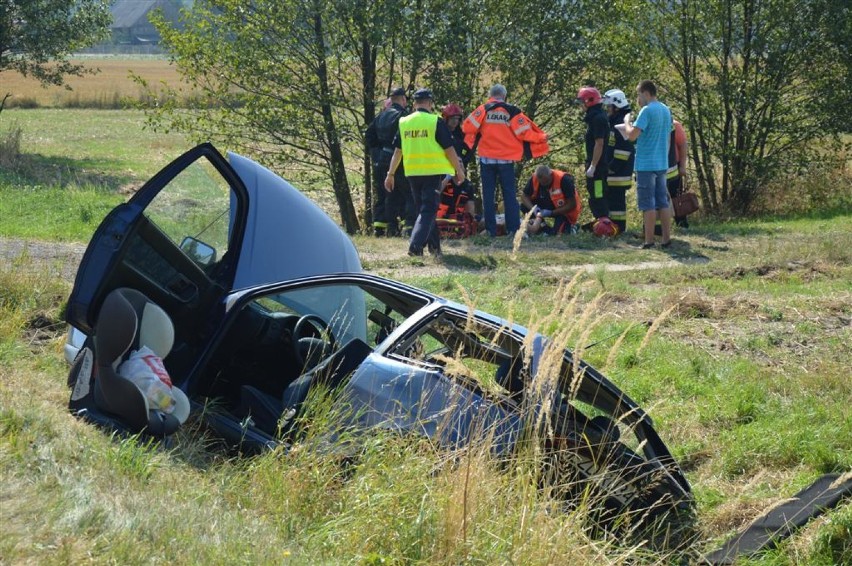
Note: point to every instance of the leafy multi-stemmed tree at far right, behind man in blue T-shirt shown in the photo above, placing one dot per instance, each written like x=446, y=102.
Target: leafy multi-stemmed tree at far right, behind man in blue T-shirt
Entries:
x=751, y=77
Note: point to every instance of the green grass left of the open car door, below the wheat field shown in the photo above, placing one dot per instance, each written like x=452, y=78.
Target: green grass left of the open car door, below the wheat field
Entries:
x=74, y=167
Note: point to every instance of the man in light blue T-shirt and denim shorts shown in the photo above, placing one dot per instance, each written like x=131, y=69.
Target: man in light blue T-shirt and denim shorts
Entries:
x=651, y=132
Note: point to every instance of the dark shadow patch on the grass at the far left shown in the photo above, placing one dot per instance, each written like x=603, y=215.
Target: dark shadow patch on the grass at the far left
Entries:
x=64, y=172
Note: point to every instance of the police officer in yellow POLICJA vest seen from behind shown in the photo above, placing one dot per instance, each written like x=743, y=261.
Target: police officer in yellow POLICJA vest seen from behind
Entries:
x=425, y=147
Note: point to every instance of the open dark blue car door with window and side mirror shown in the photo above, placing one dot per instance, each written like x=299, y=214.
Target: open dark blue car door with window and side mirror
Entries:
x=177, y=240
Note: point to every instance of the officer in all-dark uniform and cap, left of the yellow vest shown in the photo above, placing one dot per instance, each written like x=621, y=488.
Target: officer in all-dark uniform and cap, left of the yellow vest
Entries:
x=387, y=208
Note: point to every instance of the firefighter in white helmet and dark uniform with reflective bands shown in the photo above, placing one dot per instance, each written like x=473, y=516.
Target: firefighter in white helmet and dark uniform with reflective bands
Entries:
x=620, y=154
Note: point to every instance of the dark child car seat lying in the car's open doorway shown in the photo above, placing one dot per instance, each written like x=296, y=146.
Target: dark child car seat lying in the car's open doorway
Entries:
x=127, y=321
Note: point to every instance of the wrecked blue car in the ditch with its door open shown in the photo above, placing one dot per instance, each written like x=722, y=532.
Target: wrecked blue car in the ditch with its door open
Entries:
x=257, y=299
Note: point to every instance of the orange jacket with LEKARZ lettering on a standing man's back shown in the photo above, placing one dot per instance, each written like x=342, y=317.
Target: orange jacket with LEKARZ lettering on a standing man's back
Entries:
x=501, y=131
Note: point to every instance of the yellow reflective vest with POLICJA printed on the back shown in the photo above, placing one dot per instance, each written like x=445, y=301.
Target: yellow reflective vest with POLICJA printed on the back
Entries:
x=422, y=155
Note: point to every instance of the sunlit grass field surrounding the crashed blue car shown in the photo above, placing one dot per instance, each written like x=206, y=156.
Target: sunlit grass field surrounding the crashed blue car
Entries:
x=746, y=377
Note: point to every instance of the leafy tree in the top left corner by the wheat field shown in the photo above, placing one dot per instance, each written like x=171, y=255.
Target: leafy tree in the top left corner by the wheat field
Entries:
x=38, y=36
